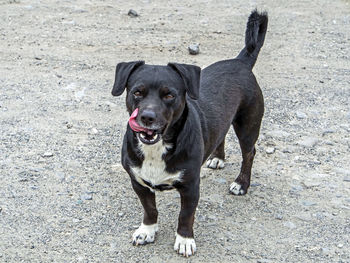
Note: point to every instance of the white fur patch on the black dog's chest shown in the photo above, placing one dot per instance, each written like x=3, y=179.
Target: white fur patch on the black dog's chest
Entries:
x=153, y=167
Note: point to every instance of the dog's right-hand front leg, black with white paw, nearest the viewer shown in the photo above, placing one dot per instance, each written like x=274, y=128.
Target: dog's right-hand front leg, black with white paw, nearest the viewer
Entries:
x=184, y=243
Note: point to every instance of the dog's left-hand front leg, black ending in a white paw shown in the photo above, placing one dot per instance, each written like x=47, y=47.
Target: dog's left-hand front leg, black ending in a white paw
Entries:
x=146, y=232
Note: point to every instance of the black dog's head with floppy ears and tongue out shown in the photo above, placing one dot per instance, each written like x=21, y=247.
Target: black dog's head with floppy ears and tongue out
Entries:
x=156, y=95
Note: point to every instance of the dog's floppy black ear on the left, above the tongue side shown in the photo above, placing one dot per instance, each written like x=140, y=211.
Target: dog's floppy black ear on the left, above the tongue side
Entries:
x=122, y=73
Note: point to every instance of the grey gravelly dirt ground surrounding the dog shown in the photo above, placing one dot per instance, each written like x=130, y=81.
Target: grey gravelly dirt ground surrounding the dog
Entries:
x=64, y=196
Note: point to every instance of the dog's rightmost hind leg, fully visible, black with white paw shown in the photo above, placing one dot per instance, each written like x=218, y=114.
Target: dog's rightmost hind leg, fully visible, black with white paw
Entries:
x=247, y=130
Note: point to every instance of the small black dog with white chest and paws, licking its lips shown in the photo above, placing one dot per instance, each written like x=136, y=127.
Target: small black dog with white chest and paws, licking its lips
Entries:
x=179, y=119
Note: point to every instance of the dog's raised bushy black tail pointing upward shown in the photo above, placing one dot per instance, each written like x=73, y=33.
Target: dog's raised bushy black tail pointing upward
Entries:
x=254, y=37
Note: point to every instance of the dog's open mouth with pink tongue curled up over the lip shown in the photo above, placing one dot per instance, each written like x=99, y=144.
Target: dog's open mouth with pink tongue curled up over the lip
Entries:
x=145, y=135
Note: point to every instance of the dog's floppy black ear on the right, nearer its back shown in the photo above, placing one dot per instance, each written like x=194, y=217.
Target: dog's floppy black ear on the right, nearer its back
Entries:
x=191, y=76
